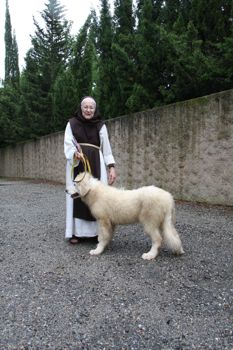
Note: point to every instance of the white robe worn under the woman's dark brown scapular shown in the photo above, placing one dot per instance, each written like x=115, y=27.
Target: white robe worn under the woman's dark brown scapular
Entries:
x=74, y=226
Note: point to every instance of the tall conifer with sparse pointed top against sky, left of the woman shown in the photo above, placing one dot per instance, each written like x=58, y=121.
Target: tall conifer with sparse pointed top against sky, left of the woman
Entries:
x=45, y=61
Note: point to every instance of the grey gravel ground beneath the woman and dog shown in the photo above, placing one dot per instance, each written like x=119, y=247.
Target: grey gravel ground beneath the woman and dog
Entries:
x=56, y=296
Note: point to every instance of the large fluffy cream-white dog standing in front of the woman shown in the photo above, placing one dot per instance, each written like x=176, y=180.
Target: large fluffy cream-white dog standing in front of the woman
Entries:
x=151, y=206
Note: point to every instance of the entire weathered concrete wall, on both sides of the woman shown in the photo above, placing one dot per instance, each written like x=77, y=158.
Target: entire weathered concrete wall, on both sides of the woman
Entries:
x=185, y=148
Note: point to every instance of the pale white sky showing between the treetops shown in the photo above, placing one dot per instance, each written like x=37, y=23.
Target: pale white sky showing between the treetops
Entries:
x=22, y=12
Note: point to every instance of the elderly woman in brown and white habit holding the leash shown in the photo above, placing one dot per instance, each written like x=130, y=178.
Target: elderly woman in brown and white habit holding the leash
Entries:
x=90, y=132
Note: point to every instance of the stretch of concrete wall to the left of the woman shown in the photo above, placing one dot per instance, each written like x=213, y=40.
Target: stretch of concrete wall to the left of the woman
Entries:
x=38, y=159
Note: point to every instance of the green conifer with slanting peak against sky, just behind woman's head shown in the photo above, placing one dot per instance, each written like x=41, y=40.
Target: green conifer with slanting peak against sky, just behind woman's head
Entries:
x=78, y=79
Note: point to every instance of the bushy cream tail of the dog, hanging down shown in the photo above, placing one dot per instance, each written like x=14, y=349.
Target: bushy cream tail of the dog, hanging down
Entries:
x=170, y=235
